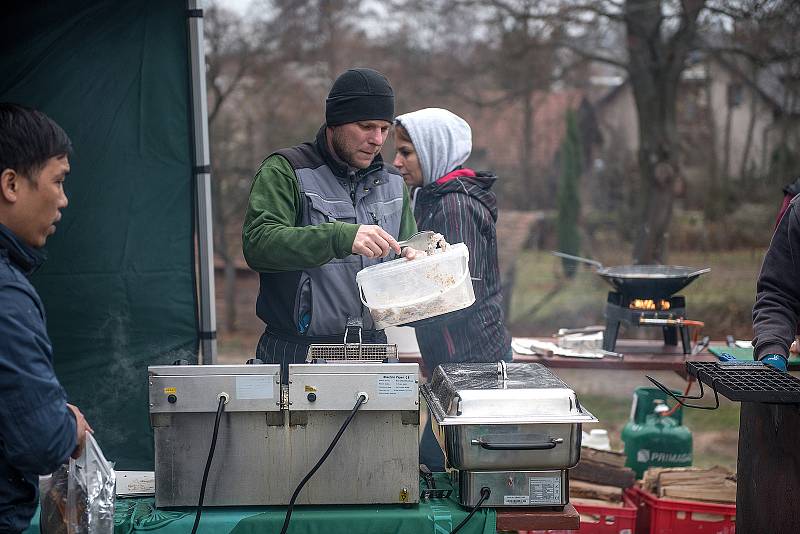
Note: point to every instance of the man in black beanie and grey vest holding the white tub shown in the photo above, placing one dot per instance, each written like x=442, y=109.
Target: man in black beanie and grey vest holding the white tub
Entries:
x=320, y=212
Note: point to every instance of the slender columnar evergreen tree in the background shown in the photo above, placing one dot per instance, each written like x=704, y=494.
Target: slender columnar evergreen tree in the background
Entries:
x=568, y=200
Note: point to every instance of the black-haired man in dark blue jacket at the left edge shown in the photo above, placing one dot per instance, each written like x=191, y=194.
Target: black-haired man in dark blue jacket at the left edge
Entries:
x=38, y=429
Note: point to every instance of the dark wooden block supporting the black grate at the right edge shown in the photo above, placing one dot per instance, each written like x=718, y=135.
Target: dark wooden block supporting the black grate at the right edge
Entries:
x=768, y=474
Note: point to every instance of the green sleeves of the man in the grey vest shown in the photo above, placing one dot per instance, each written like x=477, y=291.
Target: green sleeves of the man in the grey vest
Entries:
x=272, y=239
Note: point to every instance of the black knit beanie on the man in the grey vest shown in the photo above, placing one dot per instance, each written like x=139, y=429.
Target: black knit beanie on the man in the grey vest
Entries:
x=359, y=95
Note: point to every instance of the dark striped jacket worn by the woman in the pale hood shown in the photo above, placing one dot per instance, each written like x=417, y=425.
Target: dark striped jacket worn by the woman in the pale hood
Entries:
x=462, y=207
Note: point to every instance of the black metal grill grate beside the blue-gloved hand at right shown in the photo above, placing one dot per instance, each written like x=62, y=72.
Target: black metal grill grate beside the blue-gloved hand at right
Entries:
x=745, y=382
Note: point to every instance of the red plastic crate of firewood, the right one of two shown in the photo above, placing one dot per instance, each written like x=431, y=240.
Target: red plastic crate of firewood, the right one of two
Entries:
x=672, y=516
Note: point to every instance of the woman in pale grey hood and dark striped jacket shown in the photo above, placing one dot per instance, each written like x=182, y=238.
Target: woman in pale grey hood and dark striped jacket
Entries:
x=432, y=145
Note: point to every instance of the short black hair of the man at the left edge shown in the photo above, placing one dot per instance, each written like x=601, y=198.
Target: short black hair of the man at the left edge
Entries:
x=28, y=139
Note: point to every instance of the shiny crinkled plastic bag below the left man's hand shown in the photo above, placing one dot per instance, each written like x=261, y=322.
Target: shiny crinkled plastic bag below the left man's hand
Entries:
x=90, y=492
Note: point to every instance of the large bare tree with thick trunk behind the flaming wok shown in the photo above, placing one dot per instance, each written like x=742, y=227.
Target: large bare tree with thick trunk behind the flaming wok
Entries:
x=660, y=35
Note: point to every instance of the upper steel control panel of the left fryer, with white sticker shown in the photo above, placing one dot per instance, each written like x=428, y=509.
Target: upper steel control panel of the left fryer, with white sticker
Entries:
x=195, y=388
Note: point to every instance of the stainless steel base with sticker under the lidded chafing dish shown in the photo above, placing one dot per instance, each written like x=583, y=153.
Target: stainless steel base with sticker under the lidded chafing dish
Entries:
x=514, y=488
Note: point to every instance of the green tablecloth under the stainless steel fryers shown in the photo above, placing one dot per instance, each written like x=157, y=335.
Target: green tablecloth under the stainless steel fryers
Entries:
x=140, y=515
